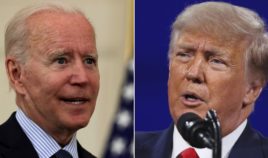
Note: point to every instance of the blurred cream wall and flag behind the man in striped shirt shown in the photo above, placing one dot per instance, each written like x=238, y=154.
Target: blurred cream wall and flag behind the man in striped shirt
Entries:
x=113, y=23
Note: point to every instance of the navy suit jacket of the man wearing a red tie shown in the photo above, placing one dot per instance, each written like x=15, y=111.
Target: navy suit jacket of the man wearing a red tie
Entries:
x=251, y=144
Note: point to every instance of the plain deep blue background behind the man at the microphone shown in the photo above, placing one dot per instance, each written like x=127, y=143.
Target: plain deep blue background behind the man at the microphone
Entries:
x=153, y=19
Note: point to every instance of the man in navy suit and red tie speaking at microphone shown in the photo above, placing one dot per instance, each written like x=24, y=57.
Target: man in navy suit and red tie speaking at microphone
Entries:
x=218, y=59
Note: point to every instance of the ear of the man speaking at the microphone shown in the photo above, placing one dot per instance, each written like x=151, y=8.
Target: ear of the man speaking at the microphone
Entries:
x=252, y=92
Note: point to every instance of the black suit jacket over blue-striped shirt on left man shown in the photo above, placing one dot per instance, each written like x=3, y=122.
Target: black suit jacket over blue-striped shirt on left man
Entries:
x=15, y=144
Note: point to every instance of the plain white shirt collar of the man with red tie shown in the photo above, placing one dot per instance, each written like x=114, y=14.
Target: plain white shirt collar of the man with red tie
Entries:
x=179, y=144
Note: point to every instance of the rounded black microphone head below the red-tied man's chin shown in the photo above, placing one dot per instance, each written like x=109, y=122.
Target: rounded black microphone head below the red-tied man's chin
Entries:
x=195, y=130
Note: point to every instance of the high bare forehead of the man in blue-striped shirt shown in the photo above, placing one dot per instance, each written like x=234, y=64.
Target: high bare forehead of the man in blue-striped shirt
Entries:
x=56, y=30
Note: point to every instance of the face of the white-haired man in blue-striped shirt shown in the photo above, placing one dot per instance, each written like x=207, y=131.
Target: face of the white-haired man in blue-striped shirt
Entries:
x=60, y=79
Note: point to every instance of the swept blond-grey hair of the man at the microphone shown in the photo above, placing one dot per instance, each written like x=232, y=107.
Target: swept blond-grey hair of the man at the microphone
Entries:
x=229, y=23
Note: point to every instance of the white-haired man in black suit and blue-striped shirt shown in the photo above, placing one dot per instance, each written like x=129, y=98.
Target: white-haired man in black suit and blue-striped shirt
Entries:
x=52, y=65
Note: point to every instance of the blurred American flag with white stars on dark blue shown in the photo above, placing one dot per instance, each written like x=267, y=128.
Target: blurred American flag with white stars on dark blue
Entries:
x=120, y=143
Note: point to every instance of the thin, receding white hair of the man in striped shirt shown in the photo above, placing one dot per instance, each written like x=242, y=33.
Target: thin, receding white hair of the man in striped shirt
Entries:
x=17, y=32
